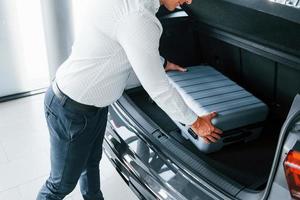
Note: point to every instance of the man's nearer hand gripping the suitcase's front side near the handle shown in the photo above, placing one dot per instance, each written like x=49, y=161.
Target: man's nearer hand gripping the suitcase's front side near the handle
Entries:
x=205, y=129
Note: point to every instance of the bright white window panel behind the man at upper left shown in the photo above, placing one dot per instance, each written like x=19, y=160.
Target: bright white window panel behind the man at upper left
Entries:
x=23, y=60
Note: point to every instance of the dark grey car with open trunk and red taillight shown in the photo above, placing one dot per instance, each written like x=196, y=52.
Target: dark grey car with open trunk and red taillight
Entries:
x=256, y=44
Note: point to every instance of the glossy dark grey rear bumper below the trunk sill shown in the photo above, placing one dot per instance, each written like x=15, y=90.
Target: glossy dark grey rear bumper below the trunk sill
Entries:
x=146, y=171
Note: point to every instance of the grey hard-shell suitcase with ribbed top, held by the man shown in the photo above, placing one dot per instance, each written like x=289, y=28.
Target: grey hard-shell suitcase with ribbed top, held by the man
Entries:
x=205, y=90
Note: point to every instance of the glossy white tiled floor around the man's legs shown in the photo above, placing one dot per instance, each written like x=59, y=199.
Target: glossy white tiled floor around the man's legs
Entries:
x=24, y=154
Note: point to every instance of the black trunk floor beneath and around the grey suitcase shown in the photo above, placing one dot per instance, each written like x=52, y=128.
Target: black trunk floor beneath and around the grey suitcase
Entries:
x=248, y=163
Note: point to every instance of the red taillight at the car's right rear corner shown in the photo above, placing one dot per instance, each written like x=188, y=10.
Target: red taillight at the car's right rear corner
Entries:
x=292, y=172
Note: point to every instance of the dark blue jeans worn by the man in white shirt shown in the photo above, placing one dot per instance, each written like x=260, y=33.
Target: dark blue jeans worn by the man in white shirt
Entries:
x=76, y=138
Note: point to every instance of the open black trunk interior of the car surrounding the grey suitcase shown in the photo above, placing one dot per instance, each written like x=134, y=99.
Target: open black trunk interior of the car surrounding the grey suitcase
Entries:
x=257, y=57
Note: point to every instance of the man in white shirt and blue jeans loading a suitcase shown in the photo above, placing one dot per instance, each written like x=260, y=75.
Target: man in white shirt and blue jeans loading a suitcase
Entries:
x=118, y=36
